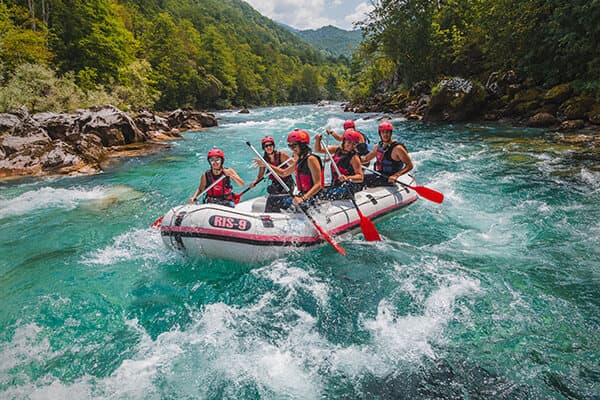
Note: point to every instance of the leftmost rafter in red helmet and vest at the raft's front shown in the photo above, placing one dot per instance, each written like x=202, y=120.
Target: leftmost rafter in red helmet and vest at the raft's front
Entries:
x=222, y=192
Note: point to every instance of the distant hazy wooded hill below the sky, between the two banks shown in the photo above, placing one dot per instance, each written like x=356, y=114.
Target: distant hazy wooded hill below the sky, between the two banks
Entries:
x=331, y=40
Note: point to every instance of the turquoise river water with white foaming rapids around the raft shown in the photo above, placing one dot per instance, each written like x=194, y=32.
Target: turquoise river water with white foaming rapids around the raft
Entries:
x=492, y=294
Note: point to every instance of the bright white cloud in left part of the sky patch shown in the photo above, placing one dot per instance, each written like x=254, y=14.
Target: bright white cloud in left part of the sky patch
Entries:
x=301, y=14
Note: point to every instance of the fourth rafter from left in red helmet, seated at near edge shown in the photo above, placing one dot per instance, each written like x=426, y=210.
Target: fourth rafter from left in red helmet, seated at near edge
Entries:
x=347, y=160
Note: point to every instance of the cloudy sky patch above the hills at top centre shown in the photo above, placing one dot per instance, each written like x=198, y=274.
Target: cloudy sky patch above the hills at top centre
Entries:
x=313, y=14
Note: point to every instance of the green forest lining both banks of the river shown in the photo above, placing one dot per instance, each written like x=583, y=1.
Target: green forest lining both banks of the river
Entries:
x=66, y=54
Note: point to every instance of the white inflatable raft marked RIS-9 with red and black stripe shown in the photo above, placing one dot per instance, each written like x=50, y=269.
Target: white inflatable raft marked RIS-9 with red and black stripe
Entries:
x=247, y=234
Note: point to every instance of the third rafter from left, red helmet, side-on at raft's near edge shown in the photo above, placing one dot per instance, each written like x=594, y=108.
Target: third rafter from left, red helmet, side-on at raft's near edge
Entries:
x=308, y=169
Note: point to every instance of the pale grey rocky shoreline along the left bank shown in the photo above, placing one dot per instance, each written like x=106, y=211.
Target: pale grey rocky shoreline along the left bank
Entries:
x=86, y=141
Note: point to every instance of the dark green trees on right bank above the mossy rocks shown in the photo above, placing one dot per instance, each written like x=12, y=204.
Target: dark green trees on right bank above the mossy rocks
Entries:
x=546, y=41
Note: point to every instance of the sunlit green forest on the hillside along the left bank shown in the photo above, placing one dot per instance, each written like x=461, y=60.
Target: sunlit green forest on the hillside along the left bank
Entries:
x=163, y=55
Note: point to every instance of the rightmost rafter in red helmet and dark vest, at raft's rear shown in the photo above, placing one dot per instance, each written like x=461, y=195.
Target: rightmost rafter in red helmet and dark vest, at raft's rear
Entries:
x=392, y=158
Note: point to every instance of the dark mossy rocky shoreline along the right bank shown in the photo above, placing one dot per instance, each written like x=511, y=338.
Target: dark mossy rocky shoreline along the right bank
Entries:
x=502, y=98
